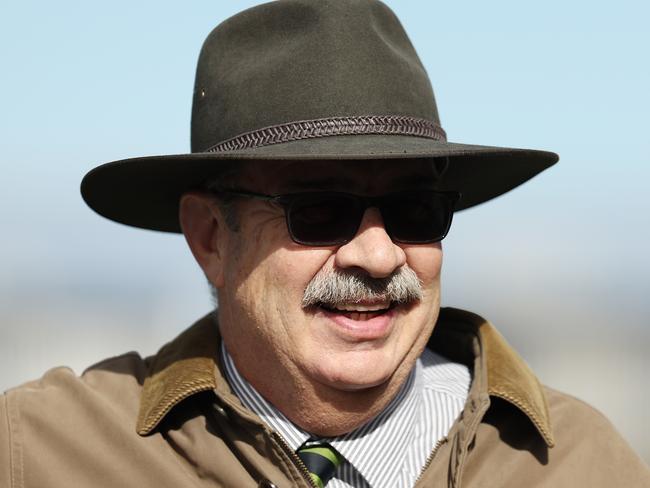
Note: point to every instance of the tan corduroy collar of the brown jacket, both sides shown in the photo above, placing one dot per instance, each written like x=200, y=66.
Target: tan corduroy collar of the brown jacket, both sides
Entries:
x=189, y=365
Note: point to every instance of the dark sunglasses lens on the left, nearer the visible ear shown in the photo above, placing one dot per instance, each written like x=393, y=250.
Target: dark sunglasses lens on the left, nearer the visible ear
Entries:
x=323, y=219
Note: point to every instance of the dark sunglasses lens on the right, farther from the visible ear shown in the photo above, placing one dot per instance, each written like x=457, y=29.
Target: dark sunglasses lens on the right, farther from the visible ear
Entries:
x=418, y=217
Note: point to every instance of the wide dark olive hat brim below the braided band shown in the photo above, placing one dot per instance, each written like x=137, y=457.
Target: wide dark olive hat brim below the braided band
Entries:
x=145, y=192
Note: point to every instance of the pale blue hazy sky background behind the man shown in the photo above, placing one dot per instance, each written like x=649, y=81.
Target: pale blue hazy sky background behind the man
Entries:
x=565, y=255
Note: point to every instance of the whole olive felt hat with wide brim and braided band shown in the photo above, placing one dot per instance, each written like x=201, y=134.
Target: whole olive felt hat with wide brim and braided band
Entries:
x=306, y=80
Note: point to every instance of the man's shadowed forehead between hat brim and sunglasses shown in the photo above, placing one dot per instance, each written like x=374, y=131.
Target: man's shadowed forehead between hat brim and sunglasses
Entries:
x=373, y=176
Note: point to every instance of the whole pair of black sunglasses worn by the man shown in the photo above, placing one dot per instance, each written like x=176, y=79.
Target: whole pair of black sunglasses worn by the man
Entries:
x=332, y=218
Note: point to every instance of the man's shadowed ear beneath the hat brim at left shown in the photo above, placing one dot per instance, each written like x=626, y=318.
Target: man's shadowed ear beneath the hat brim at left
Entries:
x=205, y=233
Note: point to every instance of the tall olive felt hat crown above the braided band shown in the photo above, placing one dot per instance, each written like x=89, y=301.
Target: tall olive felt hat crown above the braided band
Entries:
x=294, y=60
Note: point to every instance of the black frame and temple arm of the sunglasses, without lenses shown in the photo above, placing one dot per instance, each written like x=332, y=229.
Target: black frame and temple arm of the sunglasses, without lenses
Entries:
x=287, y=200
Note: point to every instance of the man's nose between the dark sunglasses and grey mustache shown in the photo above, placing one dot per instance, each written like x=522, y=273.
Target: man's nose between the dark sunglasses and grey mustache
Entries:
x=371, y=249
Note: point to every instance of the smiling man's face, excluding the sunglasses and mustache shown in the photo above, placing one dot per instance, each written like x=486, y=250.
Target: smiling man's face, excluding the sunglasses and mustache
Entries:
x=355, y=346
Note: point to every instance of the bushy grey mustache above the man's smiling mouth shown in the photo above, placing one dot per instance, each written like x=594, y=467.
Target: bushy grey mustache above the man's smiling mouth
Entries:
x=335, y=287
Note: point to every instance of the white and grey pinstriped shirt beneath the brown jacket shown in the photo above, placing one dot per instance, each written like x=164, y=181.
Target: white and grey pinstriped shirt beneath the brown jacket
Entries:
x=392, y=449
